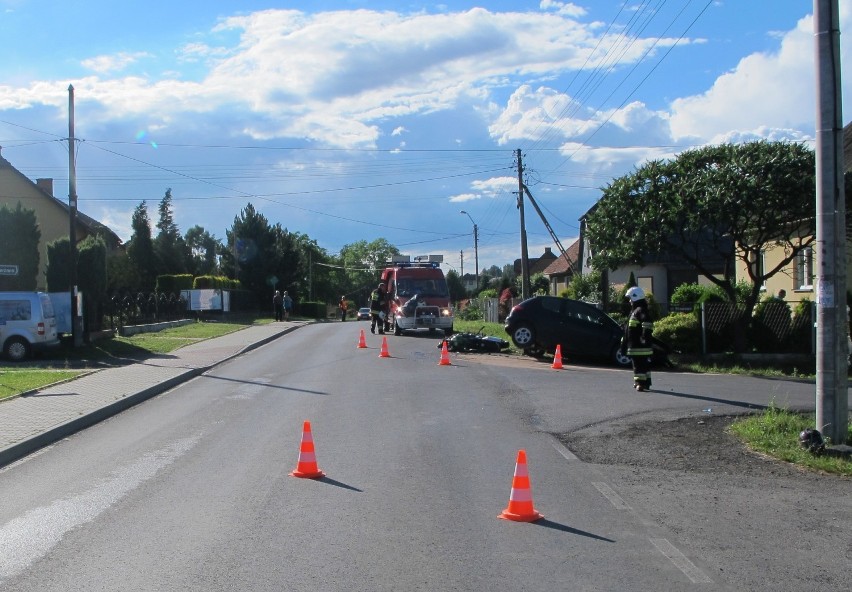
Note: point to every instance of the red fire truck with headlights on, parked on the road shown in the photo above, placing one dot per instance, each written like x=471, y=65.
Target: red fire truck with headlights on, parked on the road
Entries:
x=417, y=295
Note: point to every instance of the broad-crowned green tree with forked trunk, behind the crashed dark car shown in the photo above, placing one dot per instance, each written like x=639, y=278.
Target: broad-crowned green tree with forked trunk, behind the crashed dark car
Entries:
x=728, y=201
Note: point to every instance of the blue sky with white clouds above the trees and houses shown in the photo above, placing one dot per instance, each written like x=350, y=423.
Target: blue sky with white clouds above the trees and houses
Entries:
x=350, y=120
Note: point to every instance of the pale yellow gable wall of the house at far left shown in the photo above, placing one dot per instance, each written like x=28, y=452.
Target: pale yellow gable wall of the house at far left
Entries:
x=52, y=219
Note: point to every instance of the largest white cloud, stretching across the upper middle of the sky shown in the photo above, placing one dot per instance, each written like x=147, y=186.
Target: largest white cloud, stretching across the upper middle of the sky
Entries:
x=333, y=77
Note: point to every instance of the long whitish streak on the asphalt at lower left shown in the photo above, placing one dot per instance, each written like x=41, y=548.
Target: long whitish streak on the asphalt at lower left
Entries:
x=27, y=538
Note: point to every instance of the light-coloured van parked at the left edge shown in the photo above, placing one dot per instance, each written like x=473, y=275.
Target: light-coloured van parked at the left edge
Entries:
x=27, y=324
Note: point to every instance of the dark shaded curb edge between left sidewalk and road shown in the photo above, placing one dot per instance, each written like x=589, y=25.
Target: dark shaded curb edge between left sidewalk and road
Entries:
x=17, y=451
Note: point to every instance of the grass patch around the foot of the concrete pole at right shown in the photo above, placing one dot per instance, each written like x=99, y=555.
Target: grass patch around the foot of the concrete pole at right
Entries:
x=775, y=432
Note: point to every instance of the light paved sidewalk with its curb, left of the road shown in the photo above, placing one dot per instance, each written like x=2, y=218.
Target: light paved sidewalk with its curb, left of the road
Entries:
x=32, y=421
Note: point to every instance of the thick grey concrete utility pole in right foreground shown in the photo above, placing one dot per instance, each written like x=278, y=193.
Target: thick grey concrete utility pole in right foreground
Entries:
x=832, y=400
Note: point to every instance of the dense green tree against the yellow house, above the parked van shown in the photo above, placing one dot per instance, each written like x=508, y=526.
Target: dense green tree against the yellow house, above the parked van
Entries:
x=19, y=240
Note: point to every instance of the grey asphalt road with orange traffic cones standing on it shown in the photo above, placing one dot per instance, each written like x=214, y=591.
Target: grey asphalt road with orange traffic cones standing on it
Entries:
x=190, y=490
